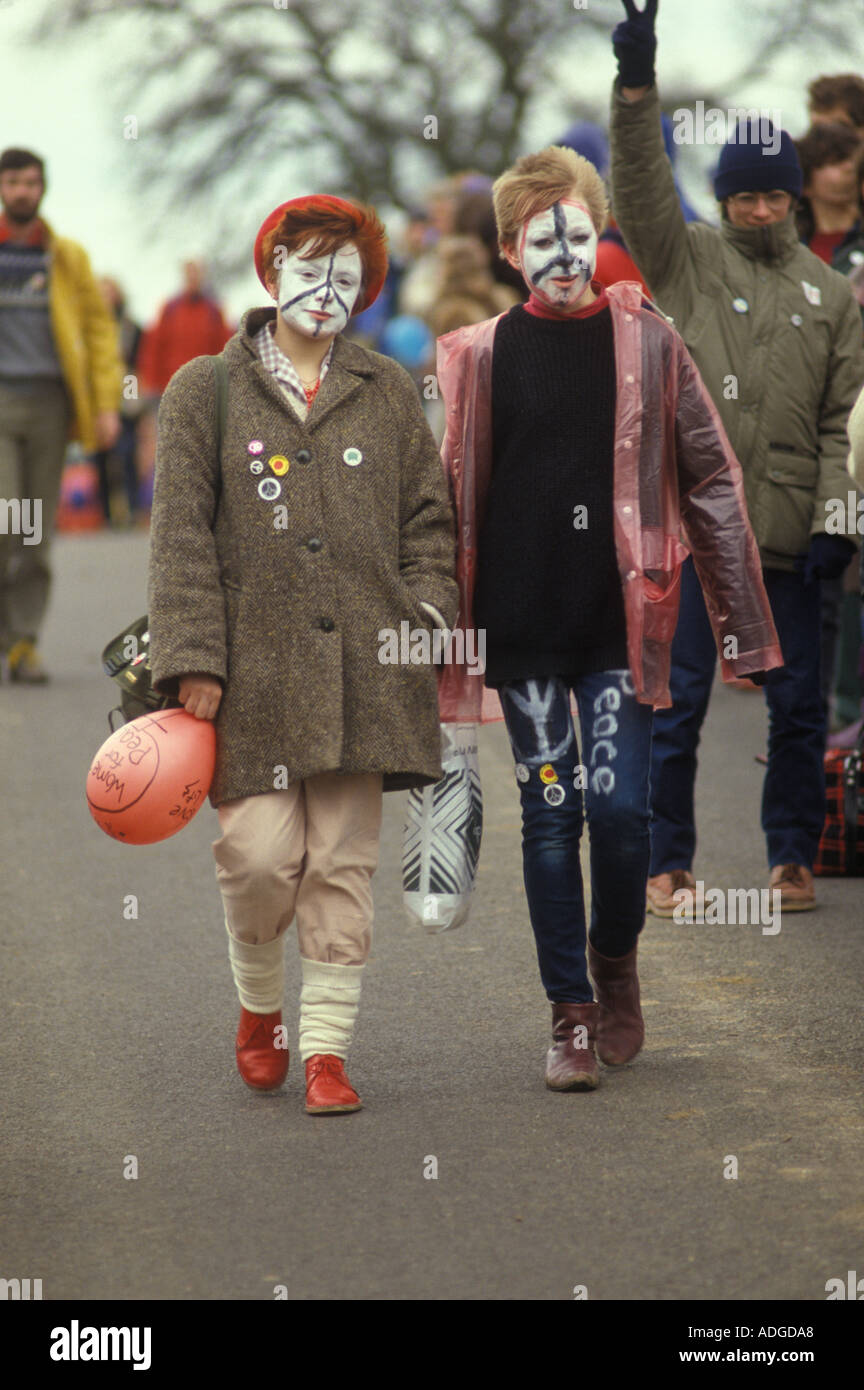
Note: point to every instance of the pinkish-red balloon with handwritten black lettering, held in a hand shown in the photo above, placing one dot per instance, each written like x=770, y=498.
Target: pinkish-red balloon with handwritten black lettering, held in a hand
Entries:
x=152, y=776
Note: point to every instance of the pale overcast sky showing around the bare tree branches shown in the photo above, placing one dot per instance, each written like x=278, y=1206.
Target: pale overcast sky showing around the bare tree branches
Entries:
x=62, y=102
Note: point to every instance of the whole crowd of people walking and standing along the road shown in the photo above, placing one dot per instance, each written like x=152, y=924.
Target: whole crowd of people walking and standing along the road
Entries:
x=705, y=377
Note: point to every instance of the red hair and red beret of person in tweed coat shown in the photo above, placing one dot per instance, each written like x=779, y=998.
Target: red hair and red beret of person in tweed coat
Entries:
x=330, y=223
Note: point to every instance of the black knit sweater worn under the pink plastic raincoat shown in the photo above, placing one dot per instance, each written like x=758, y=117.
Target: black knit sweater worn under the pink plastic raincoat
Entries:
x=548, y=587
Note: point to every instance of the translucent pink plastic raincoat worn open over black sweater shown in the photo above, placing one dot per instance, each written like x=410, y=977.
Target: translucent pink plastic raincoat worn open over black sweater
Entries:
x=674, y=469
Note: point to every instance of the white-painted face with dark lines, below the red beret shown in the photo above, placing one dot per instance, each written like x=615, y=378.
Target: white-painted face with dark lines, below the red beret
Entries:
x=316, y=297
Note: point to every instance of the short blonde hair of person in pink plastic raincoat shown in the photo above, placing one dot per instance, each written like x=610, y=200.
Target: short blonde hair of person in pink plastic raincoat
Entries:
x=537, y=181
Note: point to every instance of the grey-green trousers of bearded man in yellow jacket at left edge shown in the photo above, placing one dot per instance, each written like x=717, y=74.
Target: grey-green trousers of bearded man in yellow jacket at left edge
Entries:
x=34, y=434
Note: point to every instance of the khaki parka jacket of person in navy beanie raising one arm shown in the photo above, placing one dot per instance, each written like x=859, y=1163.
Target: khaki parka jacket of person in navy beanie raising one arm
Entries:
x=774, y=332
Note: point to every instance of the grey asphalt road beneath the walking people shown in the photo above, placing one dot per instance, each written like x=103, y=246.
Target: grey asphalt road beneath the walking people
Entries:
x=119, y=1040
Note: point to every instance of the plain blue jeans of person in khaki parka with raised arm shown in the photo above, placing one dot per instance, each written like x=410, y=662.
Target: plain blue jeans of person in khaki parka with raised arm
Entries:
x=794, y=794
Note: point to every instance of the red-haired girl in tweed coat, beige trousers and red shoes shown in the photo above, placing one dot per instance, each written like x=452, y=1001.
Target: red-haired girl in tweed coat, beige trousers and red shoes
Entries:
x=277, y=561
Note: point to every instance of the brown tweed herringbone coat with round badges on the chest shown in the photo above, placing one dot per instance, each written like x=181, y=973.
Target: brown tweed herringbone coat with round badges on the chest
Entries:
x=280, y=578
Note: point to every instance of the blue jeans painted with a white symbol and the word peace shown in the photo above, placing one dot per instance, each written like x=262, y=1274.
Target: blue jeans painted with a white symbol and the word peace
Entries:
x=615, y=776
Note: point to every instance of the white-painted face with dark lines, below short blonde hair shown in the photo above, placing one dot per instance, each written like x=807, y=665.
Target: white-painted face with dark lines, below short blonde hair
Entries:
x=558, y=254
